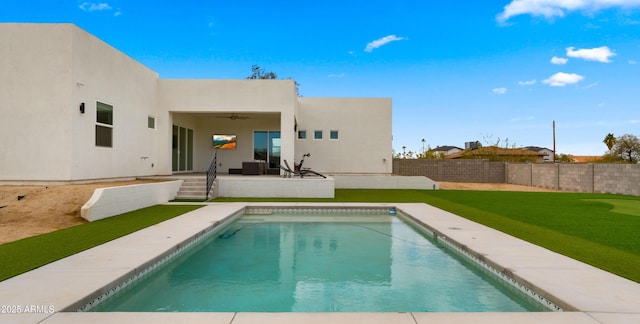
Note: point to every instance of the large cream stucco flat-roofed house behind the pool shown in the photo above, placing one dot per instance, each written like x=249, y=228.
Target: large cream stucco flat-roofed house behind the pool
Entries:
x=74, y=108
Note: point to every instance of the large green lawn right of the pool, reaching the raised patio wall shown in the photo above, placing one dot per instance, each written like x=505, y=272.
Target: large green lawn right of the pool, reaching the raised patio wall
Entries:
x=598, y=229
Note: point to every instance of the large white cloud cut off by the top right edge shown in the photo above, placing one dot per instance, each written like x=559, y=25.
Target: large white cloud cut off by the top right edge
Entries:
x=558, y=8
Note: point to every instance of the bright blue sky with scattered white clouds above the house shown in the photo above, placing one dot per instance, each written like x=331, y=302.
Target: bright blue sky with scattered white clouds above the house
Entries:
x=489, y=71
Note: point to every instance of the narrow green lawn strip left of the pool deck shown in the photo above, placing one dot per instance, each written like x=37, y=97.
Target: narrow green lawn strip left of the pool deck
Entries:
x=30, y=253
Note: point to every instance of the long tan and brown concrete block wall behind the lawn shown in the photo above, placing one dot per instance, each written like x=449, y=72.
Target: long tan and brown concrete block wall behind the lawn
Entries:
x=578, y=177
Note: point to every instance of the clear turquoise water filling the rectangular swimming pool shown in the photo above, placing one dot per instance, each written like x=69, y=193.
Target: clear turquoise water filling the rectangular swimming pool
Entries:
x=319, y=263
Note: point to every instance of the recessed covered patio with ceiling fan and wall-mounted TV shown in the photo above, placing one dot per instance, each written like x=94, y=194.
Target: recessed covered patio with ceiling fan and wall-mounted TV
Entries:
x=257, y=137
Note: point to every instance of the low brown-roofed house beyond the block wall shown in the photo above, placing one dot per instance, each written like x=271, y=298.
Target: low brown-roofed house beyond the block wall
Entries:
x=493, y=153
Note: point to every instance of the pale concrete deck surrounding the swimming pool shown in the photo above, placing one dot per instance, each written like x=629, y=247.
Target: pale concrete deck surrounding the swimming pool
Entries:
x=594, y=295
